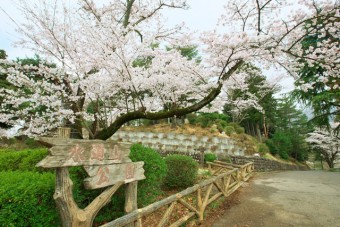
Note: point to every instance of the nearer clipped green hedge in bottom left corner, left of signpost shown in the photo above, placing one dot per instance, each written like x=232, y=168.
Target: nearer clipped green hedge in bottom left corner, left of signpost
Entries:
x=26, y=199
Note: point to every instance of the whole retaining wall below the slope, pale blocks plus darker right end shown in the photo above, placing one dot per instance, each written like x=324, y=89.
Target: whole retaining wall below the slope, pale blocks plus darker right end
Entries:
x=191, y=145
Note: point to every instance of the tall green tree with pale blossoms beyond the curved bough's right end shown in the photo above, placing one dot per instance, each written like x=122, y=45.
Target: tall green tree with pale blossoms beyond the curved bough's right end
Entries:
x=250, y=101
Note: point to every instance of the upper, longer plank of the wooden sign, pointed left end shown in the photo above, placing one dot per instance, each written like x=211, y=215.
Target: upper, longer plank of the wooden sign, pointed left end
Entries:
x=85, y=153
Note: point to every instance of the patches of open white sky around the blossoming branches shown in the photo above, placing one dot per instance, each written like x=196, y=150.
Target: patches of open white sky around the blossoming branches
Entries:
x=202, y=15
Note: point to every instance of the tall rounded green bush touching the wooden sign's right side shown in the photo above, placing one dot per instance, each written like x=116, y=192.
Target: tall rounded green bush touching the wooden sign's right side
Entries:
x=155, y=171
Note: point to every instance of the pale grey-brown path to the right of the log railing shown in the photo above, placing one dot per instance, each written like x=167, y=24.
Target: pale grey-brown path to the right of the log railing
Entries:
x=292, y=198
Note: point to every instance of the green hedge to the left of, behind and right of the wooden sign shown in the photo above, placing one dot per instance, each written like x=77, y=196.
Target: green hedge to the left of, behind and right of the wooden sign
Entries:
x=36, y=186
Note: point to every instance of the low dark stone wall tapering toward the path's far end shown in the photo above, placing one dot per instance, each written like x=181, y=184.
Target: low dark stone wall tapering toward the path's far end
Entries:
x=262, y=164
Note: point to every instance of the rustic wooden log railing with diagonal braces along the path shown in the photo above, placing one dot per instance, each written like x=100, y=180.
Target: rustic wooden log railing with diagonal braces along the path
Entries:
x=179, y=208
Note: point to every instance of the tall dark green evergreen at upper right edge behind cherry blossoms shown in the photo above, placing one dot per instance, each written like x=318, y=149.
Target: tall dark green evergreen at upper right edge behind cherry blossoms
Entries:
x=318, y=84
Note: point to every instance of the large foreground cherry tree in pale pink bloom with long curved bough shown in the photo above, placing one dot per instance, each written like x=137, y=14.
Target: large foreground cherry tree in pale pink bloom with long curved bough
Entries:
x=97, y=85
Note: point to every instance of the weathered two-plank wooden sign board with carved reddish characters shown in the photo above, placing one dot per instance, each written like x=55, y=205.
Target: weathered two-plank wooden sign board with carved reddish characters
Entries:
x=106, y=162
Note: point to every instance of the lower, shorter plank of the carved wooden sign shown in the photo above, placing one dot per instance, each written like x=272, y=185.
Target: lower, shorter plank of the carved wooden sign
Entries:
x=102, y=176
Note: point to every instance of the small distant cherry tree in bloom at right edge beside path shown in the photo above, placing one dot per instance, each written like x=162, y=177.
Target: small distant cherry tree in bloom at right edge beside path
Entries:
x=325, y=141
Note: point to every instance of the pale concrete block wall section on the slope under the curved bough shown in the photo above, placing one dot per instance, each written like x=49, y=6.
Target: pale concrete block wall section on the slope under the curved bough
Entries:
x=187, y=144
